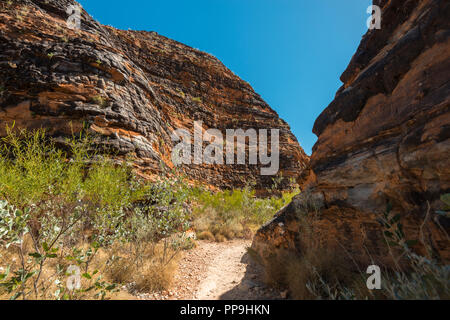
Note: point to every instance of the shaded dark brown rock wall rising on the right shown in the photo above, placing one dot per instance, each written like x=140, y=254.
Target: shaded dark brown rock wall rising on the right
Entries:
x=384, y=138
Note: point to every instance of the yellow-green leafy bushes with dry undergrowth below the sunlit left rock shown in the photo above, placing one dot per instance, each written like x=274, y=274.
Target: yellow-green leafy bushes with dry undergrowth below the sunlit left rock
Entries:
x=71, y=209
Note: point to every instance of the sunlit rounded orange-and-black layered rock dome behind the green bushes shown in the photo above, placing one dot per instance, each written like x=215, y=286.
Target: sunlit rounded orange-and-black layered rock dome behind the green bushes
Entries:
x=130, y=88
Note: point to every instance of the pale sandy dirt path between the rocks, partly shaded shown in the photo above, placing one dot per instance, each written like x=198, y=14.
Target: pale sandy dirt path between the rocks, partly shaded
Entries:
x=214, y=271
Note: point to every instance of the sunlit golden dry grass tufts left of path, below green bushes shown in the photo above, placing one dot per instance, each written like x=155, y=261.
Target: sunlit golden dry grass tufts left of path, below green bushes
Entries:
x=152, y=271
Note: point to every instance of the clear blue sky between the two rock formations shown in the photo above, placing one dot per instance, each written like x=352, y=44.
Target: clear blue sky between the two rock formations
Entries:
x=291, y=51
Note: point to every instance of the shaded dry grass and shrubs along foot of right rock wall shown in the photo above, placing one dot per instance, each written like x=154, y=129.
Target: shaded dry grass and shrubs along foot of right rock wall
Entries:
x=315, y=272
